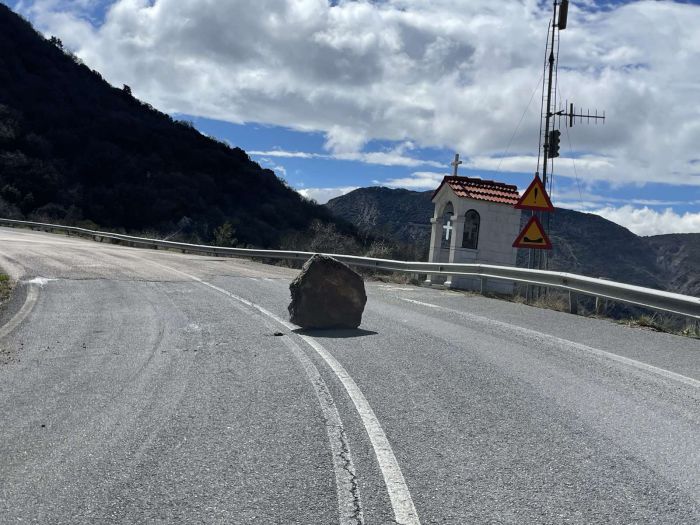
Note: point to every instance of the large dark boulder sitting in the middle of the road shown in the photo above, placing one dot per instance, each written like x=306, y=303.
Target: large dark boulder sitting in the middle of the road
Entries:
x=327, y=294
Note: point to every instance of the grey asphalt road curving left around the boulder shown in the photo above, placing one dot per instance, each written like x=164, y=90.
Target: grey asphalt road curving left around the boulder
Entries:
x=141, y=386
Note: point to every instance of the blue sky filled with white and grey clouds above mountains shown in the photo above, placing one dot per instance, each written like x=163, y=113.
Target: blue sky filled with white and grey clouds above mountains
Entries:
x=334, y=97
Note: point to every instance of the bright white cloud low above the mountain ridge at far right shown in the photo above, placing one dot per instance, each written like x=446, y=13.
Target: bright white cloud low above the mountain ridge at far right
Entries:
x=645, y=221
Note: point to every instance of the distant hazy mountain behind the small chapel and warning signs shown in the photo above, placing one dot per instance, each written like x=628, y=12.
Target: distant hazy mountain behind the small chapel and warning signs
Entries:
x=584, y=243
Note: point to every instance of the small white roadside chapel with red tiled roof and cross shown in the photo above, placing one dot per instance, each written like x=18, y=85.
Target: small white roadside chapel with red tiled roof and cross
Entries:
x=474, y=222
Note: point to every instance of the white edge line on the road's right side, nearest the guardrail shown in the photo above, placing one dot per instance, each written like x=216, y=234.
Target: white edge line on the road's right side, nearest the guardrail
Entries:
x=570, y=344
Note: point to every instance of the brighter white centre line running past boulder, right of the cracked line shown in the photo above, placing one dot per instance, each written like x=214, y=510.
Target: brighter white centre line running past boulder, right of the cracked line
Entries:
x=399, y=495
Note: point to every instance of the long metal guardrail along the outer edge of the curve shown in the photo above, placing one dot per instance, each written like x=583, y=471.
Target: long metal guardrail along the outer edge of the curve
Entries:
x=577, y=284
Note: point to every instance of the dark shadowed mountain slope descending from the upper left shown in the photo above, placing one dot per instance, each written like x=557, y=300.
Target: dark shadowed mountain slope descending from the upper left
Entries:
x=75, y=149
